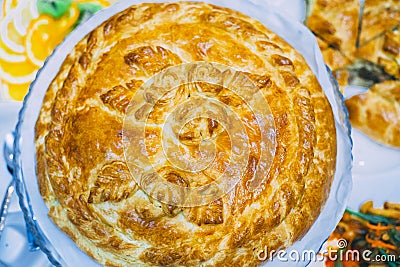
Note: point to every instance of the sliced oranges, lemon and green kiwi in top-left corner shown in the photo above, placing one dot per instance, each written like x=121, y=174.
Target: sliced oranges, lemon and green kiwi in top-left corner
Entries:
x=30, y=32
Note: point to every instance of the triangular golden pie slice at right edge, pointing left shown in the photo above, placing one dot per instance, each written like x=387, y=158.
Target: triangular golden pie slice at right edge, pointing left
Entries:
x=384, y=51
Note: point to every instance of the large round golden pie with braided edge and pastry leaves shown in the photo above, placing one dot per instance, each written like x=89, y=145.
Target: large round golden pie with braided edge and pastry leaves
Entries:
x=184, y=134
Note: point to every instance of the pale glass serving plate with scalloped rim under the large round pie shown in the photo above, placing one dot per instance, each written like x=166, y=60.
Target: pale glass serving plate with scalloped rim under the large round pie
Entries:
x=60, y=248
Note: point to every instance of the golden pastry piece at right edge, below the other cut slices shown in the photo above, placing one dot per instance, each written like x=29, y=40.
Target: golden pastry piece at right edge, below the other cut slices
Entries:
x=377, y=112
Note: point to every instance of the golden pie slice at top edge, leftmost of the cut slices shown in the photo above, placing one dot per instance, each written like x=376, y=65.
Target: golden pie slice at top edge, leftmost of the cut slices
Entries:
x=336, y=22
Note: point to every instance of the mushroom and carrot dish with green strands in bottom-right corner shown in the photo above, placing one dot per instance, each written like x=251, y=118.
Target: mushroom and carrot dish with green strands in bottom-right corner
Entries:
x=373, y=229
